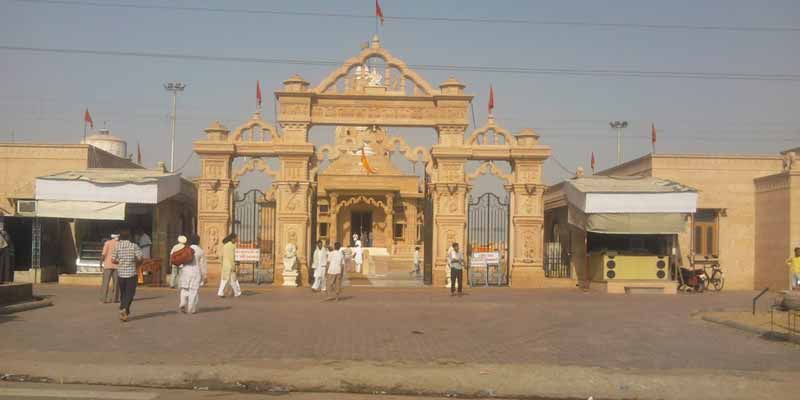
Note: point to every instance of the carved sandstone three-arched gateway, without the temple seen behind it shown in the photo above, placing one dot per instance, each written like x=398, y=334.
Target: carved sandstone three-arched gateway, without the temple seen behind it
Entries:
x=352, y=95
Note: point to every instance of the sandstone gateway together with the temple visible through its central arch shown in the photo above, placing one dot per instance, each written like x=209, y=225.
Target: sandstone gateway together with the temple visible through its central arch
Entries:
x=351, y=186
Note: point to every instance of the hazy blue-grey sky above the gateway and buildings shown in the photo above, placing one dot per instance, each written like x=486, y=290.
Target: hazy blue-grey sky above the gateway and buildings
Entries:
x=43, y=95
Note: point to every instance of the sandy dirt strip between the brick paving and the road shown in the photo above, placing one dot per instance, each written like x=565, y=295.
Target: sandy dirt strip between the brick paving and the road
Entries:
x=463, y=380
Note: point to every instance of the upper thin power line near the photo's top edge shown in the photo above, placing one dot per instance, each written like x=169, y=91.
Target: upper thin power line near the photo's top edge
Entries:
x=411, y=18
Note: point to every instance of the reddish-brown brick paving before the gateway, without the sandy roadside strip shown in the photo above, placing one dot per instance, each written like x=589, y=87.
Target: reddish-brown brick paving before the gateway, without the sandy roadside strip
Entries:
x=500, y=326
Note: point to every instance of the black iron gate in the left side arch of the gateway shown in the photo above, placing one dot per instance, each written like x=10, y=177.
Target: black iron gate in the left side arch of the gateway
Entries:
x=254, y=224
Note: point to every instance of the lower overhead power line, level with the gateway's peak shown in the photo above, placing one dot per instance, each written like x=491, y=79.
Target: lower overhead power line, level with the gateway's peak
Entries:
x=631, y=73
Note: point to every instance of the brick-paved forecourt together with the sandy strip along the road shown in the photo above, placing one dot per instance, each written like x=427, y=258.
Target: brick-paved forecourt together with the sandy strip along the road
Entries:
x=490, y=343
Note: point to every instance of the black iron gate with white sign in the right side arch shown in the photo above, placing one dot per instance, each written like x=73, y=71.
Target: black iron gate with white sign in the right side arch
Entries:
x=487, y=240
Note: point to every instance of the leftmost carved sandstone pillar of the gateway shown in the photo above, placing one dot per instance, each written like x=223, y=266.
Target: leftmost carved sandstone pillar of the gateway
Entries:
x=214, y=194
